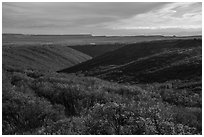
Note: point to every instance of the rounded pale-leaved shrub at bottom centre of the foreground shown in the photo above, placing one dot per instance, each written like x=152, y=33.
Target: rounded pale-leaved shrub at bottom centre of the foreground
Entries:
x=113, y=118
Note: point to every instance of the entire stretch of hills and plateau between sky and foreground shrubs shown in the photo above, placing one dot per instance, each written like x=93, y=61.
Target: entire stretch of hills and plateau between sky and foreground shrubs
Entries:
x=158, y=59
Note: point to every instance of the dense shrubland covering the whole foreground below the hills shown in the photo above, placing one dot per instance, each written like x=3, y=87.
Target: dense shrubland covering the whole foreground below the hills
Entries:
x=51, y=103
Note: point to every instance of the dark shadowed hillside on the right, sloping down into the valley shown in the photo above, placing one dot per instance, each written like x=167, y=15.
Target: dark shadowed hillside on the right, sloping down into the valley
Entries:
x=156, y=61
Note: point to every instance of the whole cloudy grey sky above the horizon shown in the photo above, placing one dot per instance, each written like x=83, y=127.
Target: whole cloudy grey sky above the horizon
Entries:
x=124, y=18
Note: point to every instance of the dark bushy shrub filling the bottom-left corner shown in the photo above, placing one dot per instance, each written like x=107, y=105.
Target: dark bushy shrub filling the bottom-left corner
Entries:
x=23, y=113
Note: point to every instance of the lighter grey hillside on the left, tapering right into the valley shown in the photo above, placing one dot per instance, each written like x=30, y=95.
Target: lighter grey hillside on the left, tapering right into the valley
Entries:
x=41, y=57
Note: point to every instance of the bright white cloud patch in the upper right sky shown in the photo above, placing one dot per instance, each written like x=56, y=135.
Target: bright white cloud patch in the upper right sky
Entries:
x=170, y=16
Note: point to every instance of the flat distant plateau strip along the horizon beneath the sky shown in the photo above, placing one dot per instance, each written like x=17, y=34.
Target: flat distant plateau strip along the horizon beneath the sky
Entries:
x=81, y=39
